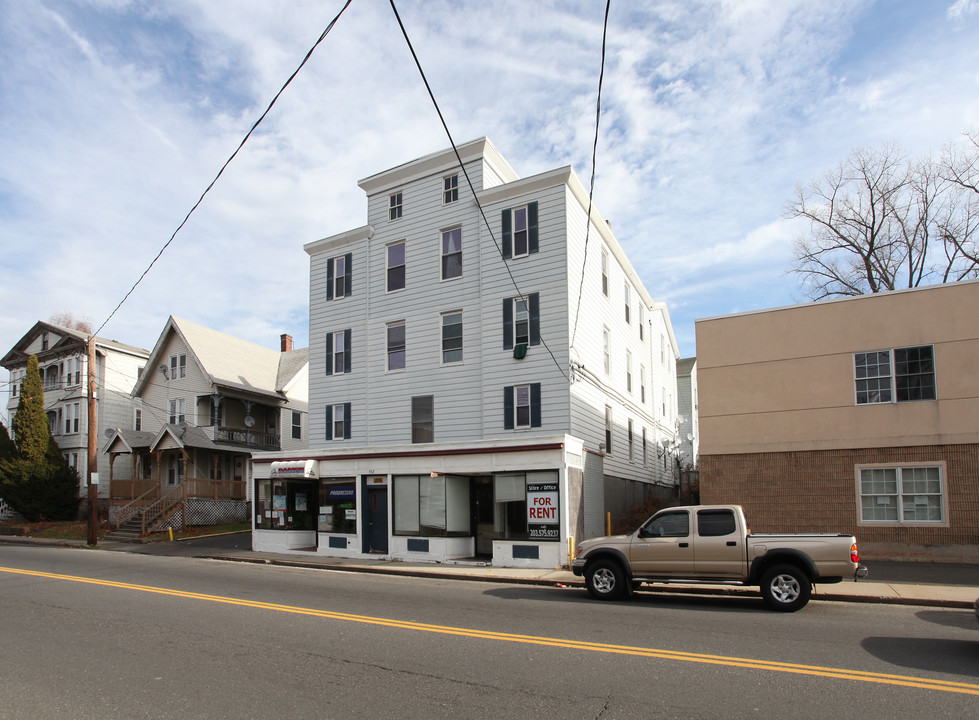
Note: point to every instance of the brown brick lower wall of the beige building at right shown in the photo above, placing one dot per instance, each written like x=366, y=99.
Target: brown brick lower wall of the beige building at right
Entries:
x=815, y=491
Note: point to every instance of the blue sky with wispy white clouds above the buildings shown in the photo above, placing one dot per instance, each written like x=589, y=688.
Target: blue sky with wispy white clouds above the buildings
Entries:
x=115, y=114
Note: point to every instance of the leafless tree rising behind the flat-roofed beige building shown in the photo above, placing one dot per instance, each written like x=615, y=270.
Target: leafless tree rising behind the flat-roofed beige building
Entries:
x=880, y=222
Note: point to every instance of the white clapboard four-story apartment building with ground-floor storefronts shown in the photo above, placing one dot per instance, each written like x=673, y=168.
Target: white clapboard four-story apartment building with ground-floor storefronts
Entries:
x=466, y=402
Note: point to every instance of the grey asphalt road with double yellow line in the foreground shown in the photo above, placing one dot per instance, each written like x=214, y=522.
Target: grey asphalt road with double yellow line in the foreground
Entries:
x=90, y=634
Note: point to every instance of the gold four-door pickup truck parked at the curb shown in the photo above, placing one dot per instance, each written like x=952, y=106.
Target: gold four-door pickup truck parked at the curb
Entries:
x=711, y=544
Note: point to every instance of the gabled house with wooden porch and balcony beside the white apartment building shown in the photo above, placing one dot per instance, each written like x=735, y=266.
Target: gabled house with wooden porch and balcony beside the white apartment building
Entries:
x=209, y=400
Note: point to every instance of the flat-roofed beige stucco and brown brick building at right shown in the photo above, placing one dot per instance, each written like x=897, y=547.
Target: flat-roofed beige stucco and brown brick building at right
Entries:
x=858, y=415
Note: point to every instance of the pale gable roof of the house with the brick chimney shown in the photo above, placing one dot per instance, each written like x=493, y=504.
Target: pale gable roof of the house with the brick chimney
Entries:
x=229, y=362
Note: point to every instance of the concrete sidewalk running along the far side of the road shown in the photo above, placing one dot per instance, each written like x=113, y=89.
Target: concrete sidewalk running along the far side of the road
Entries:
x=943, y=586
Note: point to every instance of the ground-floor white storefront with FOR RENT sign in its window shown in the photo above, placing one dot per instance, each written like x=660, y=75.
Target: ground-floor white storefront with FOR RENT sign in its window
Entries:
x=511, y=504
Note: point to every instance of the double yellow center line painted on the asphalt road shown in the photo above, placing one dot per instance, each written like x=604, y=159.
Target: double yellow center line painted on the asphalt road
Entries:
x=813, y=670
